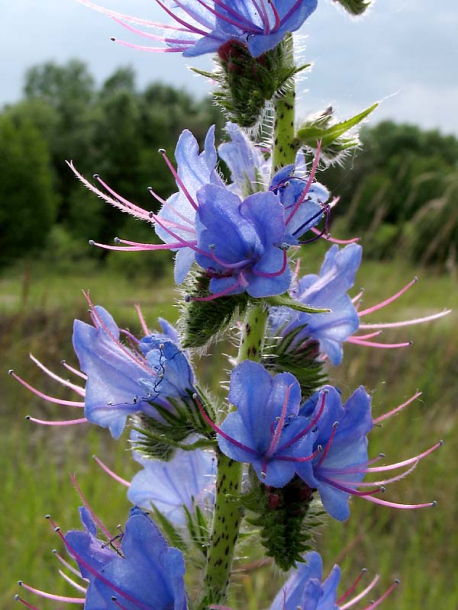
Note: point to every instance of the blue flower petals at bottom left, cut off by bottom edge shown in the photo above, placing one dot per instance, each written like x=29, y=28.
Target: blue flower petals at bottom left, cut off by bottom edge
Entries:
x=141, y=571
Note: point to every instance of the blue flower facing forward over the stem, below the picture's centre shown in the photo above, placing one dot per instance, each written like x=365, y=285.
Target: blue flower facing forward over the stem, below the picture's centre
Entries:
x=266, y=428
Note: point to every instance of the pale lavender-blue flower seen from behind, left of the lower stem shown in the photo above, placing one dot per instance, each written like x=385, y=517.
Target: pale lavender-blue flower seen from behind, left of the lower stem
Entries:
x=185, y=481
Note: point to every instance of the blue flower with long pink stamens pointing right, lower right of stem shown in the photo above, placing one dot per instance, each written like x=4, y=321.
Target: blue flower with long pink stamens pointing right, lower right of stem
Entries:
x=340, y=459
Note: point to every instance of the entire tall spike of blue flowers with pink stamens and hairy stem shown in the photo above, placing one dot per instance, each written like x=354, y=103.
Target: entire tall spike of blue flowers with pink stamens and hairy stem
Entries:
x=281, y=447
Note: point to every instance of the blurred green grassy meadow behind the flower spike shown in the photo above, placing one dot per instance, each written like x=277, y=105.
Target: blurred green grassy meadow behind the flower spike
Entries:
x=37, y=308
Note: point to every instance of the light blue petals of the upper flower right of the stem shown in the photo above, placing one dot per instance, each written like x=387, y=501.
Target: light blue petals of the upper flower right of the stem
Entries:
x=326, y=290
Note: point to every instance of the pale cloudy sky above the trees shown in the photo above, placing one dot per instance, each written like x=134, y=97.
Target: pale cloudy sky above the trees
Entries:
x=404, y=52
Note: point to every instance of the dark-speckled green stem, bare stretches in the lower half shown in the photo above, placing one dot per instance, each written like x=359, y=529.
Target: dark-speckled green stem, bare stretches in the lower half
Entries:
x=228, y=510
